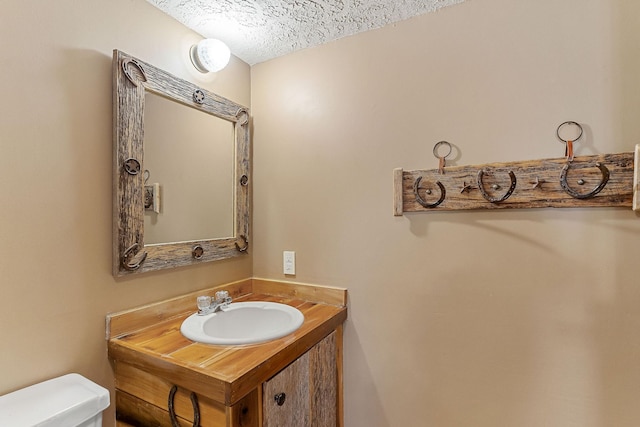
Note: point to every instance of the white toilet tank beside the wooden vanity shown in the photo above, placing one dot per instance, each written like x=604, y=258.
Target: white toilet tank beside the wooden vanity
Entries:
x=67, y=401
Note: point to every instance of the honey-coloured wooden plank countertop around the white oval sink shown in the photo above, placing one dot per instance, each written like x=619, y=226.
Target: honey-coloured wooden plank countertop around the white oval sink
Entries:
x=224, y=373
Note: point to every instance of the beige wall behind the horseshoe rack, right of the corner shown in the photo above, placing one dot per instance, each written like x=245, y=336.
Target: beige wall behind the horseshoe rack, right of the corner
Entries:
x=510, y=318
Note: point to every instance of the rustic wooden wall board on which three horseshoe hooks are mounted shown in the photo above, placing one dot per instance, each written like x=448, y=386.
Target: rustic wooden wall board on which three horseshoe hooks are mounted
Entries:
x=618, y=192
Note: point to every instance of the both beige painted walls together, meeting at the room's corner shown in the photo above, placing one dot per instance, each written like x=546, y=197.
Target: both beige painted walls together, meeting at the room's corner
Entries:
x=522, y=318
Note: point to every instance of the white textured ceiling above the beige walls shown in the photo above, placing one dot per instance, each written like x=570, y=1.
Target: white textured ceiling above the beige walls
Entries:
x=259, y=30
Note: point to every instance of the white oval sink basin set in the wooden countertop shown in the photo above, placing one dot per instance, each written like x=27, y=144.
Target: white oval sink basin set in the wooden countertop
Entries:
x=243, y=323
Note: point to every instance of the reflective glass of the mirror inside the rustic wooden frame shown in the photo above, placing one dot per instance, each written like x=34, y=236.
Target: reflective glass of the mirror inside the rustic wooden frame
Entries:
x=188, y=159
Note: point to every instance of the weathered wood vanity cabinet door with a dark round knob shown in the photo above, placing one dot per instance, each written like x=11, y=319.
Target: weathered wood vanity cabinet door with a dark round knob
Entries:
x=304, y=394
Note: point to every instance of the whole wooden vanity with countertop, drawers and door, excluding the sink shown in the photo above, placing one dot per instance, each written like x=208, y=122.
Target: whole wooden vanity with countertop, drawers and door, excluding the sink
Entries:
x=162, y=378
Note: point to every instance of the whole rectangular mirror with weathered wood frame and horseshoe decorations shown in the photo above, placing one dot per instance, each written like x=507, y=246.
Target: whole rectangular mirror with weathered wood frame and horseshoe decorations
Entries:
x=181, y=171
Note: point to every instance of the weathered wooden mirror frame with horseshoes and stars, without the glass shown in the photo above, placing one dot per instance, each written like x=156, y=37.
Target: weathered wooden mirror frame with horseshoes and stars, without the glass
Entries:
x=131, y=79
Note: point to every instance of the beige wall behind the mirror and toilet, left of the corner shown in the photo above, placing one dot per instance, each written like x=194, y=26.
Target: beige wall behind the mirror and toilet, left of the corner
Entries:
x=55, y=180
